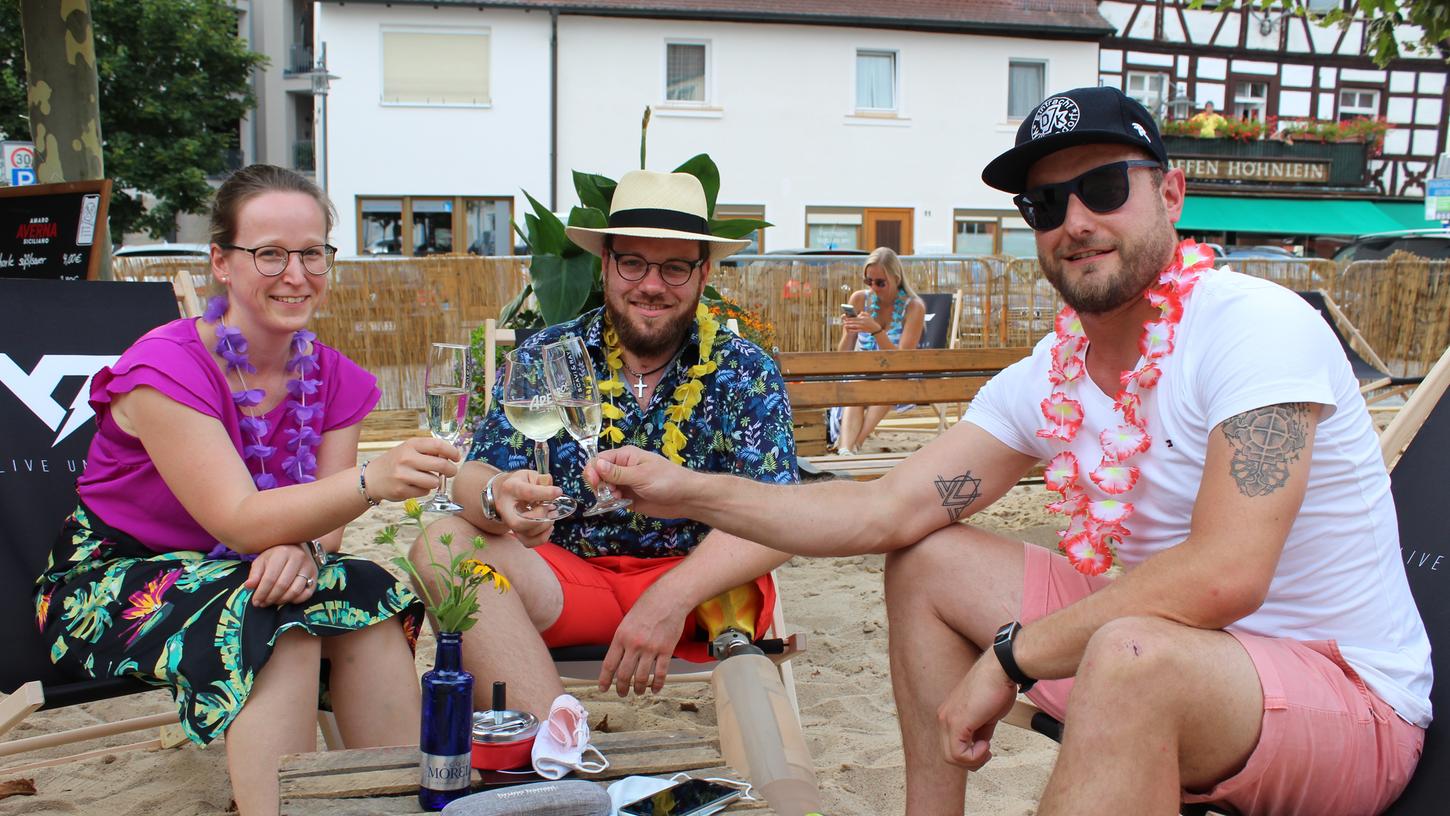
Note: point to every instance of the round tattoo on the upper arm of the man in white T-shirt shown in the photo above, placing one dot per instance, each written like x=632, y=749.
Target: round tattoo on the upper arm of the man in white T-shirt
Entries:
x=1267, y=441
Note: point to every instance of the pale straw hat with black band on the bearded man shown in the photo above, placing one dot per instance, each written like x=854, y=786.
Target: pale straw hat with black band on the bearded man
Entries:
x=658, y=205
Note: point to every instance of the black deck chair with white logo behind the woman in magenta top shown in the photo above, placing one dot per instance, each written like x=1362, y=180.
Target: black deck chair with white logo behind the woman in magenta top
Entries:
x=54, y=336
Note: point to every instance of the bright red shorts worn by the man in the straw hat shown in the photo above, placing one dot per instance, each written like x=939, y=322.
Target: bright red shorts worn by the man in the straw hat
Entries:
x=598, y=594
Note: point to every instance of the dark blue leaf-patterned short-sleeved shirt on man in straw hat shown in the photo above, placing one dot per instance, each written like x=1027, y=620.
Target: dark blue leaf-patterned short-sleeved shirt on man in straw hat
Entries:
x=742, y=427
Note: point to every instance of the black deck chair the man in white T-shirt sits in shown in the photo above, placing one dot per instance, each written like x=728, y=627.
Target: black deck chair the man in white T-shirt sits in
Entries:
x=1414, y=446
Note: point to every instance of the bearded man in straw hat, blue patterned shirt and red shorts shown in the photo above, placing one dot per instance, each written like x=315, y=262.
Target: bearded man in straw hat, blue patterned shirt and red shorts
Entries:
x=675, y=382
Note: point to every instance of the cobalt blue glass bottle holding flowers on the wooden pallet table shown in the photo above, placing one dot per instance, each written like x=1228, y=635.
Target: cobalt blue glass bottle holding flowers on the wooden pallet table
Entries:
x=447, y=730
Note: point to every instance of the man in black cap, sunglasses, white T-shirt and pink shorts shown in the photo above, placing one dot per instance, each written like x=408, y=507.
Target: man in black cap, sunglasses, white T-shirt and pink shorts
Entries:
x=1204, y=430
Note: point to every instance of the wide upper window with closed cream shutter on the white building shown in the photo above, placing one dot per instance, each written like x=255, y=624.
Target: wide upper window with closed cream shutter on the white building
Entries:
x=436, y=67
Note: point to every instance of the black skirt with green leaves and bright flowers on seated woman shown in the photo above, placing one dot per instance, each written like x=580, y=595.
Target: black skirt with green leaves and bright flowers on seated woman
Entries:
x=109, y=607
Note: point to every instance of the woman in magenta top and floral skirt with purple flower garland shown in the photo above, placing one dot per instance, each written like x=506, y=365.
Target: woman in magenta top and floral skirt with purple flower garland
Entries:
x=204, y=554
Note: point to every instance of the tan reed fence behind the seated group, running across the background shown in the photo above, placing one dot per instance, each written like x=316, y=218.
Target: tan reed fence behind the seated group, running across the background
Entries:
x=385, y=312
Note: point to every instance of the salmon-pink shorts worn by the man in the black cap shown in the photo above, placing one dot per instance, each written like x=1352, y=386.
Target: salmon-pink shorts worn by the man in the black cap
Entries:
x=1327, y=744
